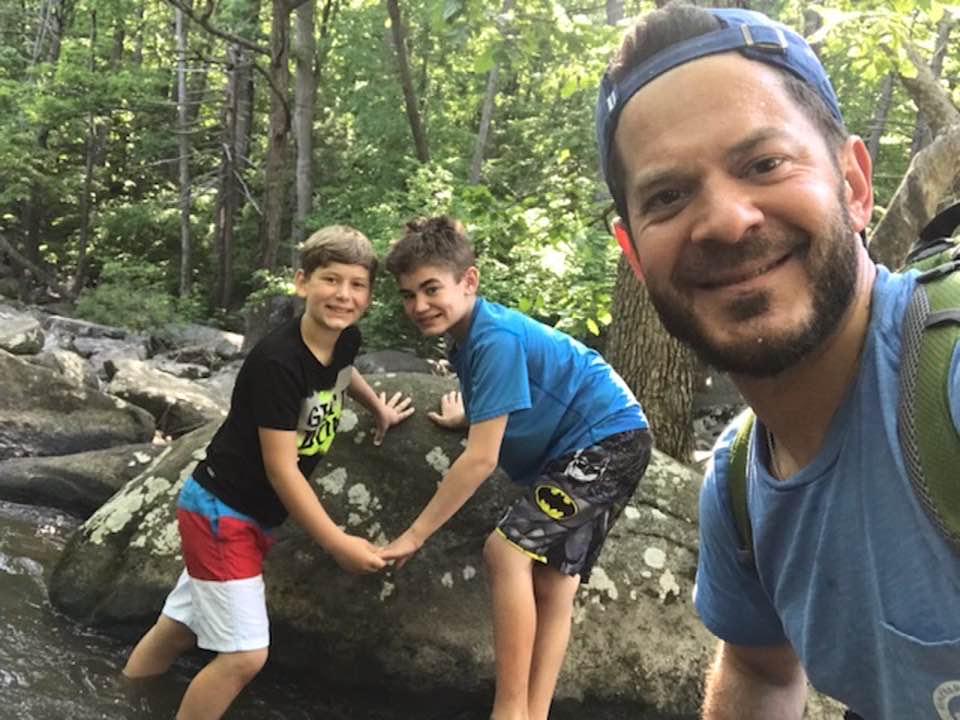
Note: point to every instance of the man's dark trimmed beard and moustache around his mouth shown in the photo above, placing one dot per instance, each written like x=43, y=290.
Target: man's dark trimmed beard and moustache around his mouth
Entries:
x=830, y=262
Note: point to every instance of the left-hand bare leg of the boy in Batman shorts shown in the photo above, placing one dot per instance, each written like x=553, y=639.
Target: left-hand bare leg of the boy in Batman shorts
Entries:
x=514, y=625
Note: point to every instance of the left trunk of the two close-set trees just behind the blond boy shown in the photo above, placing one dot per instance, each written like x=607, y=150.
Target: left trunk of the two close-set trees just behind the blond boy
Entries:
x=275, y=179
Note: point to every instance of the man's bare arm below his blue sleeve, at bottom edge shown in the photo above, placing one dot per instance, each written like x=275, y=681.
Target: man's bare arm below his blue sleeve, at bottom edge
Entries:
x=755, y=682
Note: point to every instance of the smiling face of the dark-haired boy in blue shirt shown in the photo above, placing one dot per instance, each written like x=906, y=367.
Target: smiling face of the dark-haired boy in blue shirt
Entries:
x=437, y=301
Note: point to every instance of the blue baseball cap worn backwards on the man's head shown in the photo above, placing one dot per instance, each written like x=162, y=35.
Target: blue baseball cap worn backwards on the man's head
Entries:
x=750, y=33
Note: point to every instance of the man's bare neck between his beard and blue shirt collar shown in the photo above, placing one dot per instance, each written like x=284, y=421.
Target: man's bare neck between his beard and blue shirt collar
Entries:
x=797, y=405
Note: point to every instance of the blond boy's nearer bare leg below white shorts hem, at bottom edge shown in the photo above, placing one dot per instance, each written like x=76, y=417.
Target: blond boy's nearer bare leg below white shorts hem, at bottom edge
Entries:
x=218, y=684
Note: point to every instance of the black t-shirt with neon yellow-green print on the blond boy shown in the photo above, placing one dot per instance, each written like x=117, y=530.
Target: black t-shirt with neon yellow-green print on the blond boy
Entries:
x=282, y=386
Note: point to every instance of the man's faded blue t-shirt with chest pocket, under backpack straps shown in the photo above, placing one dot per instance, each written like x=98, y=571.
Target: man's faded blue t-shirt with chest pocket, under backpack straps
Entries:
x=849, y=568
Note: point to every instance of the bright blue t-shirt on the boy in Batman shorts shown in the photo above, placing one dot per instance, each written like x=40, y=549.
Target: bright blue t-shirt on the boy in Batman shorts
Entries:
x=560, y=395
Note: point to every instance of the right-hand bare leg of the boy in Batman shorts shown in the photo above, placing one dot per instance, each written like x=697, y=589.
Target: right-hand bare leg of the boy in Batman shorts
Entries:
x=554, y=594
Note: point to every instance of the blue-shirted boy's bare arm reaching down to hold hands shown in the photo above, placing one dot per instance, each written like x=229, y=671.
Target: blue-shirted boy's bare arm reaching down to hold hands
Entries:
x=468, y=471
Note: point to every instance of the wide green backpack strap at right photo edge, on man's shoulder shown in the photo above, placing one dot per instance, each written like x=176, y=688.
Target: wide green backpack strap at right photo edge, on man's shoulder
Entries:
x=928, y=437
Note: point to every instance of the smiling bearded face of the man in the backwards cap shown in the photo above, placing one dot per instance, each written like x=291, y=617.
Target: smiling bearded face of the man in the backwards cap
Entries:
x=738, y=213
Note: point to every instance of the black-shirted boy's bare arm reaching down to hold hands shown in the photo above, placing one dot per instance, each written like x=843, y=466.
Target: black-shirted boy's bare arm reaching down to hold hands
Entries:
x=279, y=449
